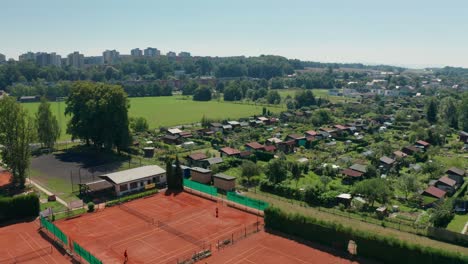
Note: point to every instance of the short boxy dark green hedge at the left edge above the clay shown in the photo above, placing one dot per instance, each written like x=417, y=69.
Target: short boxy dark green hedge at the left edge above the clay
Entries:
x=19, y=207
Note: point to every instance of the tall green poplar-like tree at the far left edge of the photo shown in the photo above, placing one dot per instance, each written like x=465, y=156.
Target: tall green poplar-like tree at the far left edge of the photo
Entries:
x=16, y=134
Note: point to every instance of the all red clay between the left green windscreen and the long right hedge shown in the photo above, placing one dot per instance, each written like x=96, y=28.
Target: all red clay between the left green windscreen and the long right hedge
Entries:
x=108, y=233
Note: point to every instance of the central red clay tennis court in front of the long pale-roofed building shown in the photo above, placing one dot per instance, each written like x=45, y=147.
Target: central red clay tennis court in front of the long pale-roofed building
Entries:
x=189, y=224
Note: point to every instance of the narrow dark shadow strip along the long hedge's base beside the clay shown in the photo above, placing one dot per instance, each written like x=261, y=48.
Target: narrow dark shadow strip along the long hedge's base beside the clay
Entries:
x=329, y=250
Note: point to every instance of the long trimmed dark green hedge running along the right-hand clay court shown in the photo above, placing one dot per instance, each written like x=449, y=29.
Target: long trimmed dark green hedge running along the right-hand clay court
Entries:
x=369, y=245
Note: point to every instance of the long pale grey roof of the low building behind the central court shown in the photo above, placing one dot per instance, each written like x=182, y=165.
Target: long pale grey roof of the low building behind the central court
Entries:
x=133, y=174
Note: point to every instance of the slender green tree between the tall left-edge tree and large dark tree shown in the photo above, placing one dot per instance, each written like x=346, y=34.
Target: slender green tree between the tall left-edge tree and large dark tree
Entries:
x=48, y=129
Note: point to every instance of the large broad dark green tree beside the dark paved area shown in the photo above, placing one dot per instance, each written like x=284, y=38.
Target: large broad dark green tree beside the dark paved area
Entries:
x=99, y=114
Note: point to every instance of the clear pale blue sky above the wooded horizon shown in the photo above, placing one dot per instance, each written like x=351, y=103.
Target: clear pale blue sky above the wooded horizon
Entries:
x=412, y=33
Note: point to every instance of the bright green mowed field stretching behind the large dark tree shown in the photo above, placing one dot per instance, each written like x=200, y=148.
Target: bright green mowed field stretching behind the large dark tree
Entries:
x=169, y=111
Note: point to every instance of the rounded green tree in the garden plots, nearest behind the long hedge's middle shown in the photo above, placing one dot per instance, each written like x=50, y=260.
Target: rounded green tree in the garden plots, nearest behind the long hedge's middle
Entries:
x=375, y=189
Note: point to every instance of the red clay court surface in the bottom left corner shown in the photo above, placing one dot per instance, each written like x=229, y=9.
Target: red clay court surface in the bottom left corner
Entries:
x=24, y=242
